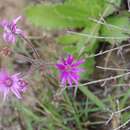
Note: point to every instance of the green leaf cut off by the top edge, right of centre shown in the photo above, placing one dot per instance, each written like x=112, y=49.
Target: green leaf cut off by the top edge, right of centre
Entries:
x=97, y=7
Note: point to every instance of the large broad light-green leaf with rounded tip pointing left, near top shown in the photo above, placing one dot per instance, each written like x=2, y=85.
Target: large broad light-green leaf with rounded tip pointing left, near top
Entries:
x=56, y=16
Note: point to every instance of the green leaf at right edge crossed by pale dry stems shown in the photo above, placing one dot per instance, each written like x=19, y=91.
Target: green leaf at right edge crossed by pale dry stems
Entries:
x=116, y=28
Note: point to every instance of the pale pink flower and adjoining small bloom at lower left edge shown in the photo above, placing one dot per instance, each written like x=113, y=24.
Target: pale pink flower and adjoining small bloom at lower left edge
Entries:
x=11, y=83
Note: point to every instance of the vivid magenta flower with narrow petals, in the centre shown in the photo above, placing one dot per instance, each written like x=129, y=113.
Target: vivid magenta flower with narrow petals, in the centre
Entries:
x=69, y=70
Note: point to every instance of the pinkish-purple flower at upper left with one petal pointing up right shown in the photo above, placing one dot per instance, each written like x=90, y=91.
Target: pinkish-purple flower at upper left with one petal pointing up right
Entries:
x=11, y=30
